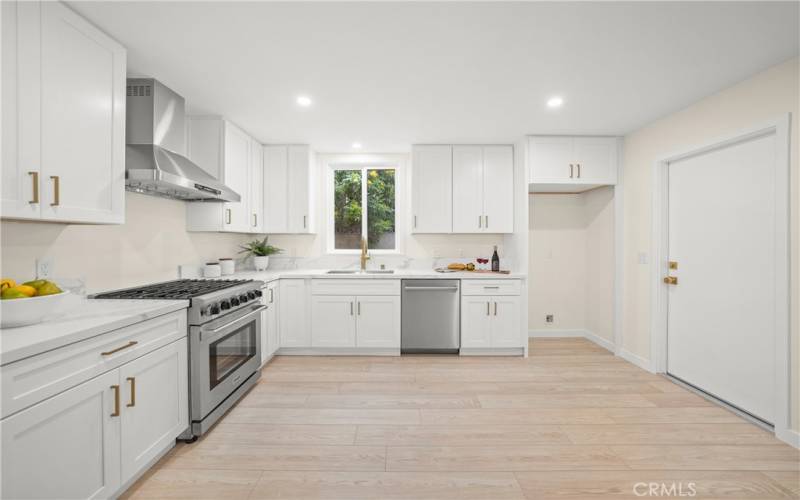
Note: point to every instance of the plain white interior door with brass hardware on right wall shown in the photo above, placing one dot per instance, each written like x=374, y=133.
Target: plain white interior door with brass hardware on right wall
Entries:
x=721, y=332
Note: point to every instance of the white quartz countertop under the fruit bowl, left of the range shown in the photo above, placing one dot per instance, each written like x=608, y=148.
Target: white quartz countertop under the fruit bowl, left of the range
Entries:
x=80, y=319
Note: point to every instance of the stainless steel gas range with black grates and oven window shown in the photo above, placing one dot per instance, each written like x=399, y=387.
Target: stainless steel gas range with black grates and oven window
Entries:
x=224, y=319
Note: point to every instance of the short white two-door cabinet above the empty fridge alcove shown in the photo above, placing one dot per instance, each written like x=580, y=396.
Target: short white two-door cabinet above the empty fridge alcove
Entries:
x=571, y=164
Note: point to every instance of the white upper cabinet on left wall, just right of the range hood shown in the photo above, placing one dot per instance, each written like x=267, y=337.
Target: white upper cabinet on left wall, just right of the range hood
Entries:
x=234, y=158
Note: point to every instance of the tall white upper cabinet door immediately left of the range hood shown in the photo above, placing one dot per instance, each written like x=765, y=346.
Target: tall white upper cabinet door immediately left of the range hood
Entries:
x=82, y=120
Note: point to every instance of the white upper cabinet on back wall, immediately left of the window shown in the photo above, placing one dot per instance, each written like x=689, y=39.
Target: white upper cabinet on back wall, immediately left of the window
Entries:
x=288, y=189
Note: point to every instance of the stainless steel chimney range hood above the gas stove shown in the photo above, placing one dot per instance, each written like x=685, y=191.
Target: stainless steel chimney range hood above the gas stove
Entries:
x=155, y=146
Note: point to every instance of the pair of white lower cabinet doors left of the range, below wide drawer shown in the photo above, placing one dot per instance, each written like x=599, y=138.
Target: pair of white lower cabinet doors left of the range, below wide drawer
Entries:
x=96, y=437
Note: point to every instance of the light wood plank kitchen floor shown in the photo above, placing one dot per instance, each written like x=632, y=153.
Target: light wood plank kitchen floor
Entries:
x=570, y=422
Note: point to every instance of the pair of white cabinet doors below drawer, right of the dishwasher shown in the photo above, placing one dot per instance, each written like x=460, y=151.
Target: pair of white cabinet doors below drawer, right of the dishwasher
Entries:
x=490, y=322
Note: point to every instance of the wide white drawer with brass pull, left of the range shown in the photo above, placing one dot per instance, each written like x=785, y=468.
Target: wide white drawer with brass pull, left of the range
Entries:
x=34, y=379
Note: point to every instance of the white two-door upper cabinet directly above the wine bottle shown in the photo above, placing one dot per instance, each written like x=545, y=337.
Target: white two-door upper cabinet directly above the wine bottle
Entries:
x=483, y=189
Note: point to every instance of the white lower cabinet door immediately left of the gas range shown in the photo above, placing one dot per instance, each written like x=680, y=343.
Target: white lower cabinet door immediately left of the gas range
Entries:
x=155, y=404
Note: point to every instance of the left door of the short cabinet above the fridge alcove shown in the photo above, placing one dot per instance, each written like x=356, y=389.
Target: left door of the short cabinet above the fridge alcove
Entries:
x=550, y=158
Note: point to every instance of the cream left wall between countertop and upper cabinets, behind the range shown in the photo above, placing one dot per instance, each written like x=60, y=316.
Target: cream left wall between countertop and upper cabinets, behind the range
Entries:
x=147, y=248
